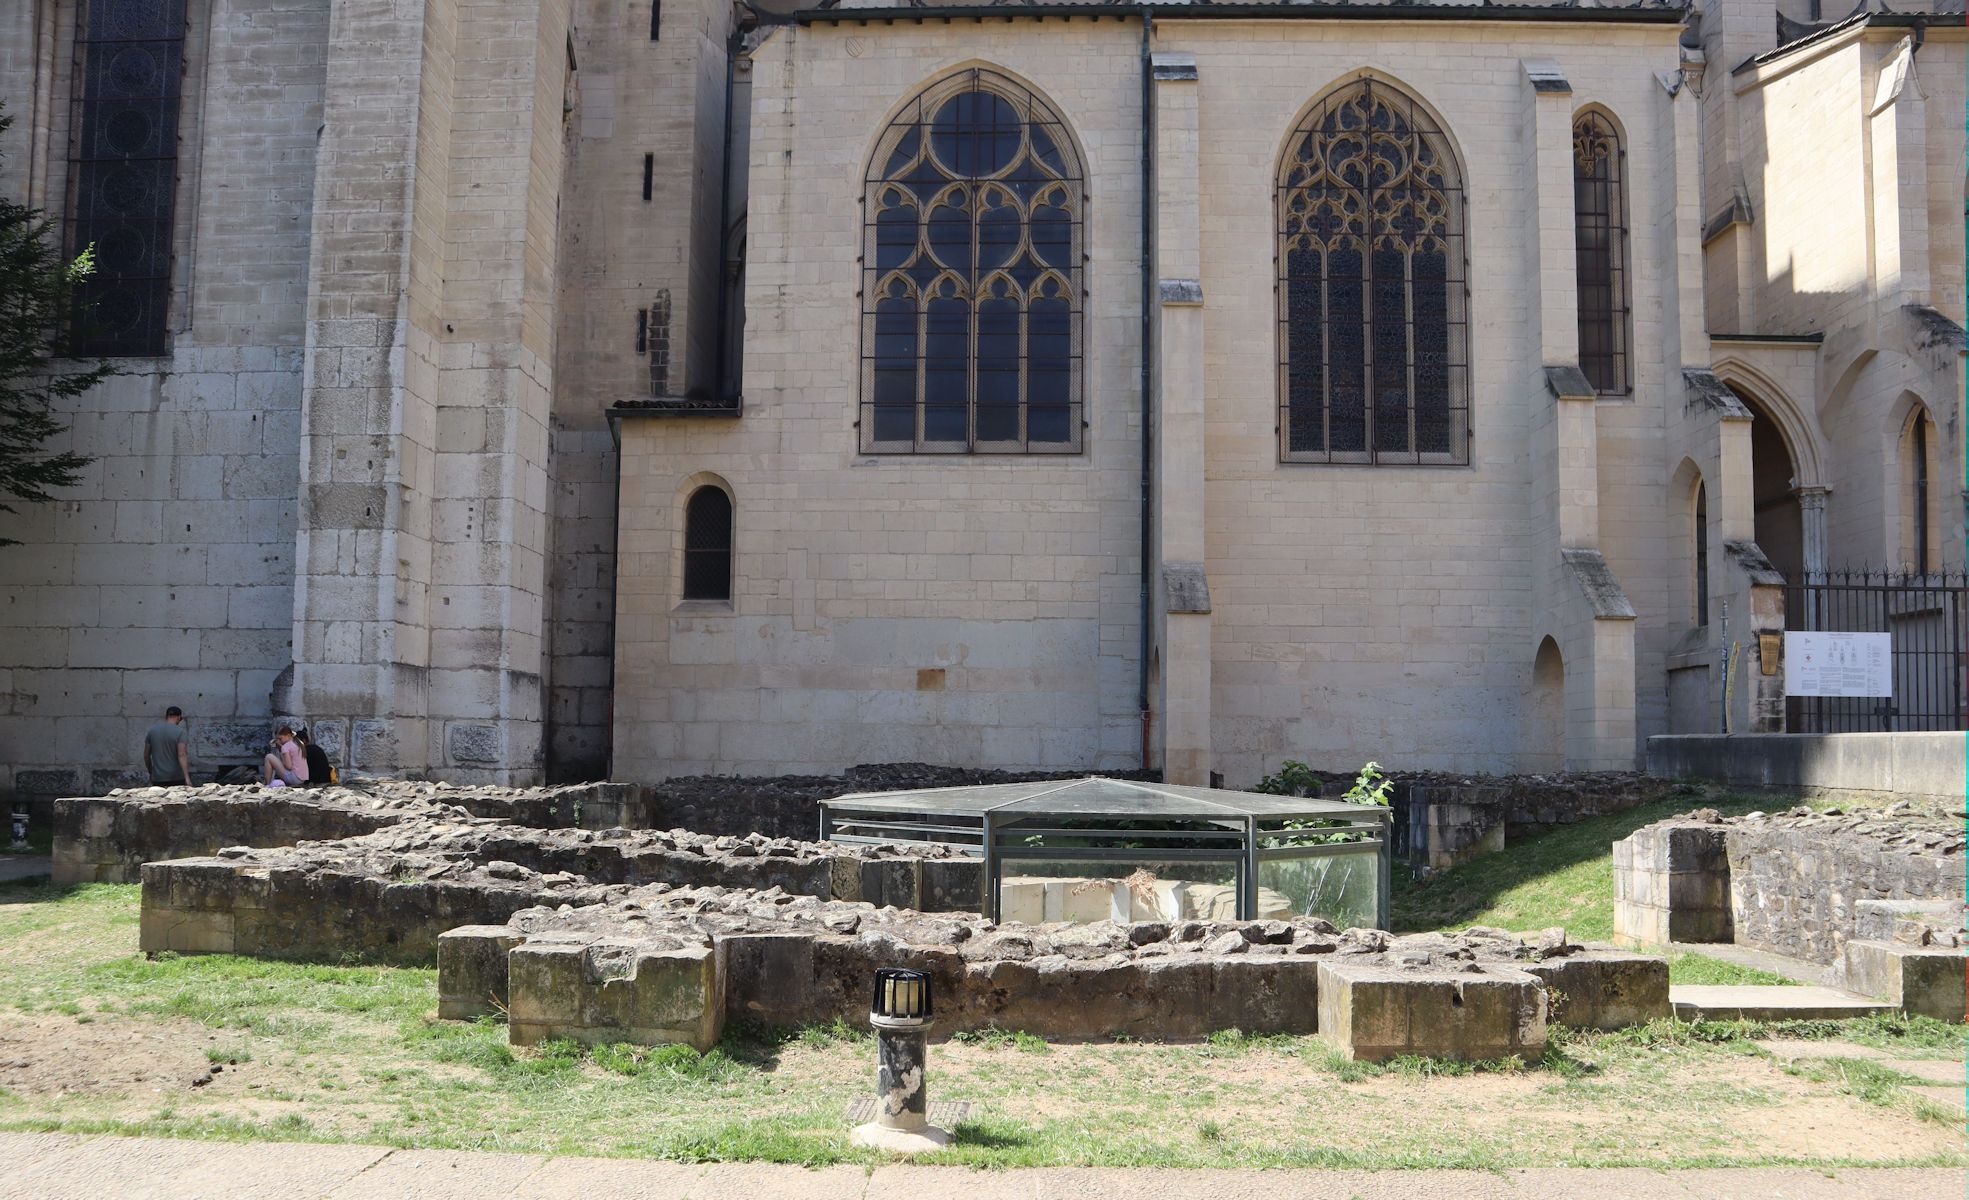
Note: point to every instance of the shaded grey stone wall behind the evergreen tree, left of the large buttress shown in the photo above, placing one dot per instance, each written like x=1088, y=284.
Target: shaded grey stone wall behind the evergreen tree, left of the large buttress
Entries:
x=166, y=574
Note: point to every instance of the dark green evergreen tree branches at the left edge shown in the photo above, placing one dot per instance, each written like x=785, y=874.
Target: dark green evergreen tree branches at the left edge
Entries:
x=36, y=373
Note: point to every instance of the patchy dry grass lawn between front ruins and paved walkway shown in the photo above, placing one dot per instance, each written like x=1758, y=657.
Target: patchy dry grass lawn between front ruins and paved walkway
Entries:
x=94, y=1037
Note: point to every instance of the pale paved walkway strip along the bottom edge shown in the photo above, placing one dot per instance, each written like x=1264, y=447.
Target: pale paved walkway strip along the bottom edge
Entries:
x=60, y=1167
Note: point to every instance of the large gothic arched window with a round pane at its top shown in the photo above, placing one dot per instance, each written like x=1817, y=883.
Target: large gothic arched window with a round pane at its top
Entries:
x=972, y=277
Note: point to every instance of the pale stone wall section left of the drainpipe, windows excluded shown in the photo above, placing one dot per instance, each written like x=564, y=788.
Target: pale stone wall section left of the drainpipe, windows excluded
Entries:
x=968, y=612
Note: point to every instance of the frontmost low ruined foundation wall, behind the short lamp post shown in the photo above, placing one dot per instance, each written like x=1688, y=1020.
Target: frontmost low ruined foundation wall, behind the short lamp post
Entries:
x=631, y=965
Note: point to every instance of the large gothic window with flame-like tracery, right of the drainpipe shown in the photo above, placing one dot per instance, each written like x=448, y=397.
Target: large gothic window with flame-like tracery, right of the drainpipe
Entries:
x=1371, y=299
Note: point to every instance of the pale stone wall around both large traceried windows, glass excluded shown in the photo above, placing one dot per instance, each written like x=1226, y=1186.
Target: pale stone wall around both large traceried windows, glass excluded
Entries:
x=984, y=610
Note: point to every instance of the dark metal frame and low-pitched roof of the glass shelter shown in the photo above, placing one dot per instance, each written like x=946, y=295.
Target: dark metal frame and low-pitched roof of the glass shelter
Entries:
x=1112, y=821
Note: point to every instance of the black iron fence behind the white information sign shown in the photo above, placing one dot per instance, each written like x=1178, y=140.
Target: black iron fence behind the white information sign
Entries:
x=1925, y=612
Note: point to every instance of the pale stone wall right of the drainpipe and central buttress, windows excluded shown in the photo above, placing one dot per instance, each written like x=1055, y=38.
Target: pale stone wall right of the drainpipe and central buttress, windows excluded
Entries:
x=1389, y=612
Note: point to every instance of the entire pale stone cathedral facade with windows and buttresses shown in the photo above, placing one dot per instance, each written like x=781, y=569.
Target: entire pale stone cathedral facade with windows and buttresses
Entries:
x=576, y=387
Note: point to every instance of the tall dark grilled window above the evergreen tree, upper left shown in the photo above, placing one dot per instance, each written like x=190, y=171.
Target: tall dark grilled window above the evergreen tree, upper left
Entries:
x=123, y=170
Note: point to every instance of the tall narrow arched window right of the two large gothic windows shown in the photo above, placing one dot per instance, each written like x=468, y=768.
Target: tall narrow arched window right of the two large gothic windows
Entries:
x=1600, y=232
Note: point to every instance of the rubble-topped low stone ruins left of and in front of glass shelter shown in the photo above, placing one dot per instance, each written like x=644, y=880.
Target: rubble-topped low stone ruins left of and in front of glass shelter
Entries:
x=580, y=917
